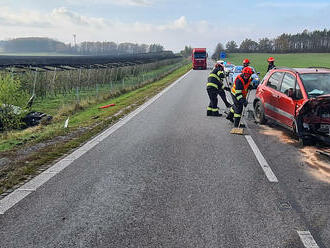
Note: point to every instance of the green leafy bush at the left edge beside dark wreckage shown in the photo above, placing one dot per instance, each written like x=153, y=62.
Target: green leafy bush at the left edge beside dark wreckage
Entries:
x=13, y=100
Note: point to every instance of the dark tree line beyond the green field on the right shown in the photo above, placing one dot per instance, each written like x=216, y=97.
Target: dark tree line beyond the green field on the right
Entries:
x=305, y=42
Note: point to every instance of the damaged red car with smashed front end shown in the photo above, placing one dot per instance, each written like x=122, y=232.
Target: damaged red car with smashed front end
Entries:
x=298, y=99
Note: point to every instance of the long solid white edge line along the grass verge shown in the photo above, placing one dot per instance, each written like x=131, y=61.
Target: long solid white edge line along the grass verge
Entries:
x=19, y=194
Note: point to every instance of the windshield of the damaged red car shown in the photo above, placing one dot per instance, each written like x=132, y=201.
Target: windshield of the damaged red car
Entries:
x=316, y=84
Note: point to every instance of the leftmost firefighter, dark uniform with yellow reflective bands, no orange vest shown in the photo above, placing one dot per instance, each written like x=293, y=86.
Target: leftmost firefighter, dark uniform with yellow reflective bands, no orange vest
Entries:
x=215, y=87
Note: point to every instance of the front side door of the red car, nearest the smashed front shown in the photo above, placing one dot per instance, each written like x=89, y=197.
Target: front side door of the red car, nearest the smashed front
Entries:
x=286, y=105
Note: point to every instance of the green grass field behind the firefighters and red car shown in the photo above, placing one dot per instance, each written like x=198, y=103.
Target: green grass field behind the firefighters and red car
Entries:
x=259, y=60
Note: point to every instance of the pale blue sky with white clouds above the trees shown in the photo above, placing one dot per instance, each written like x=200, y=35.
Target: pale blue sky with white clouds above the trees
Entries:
x=171, y=23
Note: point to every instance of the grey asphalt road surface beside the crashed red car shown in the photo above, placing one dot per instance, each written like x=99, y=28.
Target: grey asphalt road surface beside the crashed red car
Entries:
x=173, y=177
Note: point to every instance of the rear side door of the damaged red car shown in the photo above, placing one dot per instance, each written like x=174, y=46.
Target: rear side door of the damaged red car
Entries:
x=271, y=95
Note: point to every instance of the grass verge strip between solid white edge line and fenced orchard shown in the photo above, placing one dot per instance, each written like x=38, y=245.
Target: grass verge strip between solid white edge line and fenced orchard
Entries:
x=47, y=143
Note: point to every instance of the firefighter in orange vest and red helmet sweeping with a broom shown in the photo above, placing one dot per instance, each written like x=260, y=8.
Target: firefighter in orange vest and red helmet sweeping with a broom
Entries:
x=239, y=91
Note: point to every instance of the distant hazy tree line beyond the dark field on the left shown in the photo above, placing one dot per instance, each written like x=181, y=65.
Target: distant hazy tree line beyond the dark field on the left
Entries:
x=37, y=44
